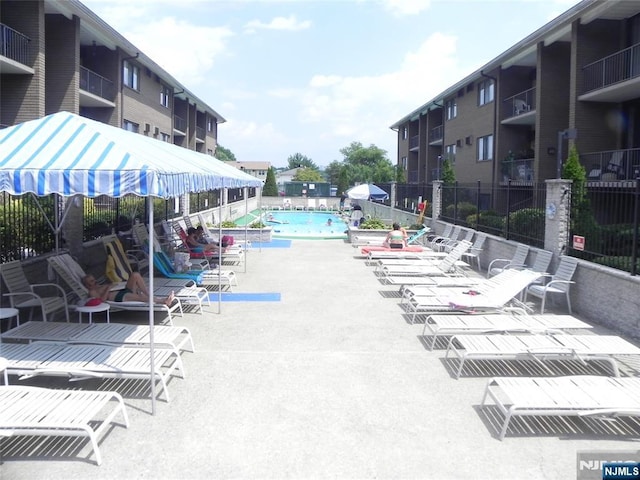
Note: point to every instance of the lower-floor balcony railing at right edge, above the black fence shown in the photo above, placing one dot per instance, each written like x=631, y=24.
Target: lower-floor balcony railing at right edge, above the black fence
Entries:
x=612, y=165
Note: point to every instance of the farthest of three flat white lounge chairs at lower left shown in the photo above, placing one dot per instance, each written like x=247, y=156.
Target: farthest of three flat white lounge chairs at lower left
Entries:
x=176, y=338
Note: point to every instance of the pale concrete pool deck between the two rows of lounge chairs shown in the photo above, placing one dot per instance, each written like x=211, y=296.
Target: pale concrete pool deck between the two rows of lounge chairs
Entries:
x=330, y=382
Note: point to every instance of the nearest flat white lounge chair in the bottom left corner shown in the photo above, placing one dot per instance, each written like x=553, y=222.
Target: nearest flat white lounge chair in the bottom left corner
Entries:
x=37, y=411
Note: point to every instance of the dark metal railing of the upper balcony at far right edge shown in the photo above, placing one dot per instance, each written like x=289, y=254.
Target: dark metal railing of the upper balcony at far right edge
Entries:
x=615, y=68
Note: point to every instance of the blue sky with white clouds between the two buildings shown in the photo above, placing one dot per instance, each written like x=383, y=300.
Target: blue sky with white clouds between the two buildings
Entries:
x=312, y=76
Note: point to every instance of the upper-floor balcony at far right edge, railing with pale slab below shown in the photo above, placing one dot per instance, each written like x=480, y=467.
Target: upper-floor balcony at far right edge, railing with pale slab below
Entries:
x=615, y=78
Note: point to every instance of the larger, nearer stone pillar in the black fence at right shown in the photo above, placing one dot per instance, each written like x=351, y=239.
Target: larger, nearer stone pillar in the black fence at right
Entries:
x=557, y=216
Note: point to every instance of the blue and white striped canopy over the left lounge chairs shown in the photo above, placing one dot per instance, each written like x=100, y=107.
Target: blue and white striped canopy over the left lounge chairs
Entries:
x=67, y=154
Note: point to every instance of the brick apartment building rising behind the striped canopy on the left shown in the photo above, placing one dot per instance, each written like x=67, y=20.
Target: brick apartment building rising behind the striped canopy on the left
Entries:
x=59, y=56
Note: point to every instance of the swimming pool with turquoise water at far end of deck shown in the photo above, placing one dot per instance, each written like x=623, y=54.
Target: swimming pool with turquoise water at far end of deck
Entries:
x=305, y=225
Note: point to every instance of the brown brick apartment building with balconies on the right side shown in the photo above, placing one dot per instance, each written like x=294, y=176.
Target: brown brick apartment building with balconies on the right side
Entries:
x=576, y=81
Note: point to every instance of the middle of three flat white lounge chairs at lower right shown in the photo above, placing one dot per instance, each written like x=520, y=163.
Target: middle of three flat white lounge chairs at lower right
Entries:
x=540, y=347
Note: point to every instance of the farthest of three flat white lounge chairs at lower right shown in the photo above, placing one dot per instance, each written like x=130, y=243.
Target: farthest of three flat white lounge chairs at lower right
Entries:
x=439, y=325
